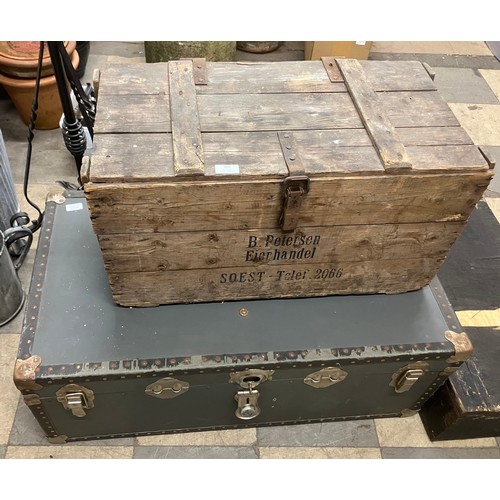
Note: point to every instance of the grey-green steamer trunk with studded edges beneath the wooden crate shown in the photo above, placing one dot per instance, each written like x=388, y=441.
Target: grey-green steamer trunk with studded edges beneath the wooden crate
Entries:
x=89, y=369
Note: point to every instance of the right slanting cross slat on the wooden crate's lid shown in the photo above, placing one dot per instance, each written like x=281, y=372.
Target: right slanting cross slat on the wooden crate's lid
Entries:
x=390, y=149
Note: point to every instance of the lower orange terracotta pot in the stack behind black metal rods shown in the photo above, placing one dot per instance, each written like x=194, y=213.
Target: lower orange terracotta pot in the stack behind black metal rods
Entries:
x=21, y=92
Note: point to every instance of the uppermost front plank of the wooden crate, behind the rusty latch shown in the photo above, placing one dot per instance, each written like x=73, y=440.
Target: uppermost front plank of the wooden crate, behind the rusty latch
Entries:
x=168, y=207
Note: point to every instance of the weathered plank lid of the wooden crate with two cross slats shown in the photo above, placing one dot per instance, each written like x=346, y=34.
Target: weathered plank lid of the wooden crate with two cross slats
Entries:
x=195, y=120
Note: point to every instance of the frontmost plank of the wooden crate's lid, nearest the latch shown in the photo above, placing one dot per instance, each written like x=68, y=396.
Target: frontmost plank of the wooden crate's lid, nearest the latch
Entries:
x=148, y=157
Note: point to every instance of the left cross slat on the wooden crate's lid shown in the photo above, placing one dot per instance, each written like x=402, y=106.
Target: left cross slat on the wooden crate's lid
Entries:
x=186, y=131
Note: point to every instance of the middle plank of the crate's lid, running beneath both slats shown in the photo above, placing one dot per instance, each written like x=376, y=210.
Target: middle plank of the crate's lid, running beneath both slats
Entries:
x=262, y=112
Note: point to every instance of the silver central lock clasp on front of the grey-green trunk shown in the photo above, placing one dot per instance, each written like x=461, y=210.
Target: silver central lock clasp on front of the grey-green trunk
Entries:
x=247, y=400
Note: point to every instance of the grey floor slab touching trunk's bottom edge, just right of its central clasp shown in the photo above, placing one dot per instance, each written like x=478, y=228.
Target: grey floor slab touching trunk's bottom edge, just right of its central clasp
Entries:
x=358, y=433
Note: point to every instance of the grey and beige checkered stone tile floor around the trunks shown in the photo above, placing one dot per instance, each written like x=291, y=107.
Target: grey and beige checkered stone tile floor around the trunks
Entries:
x=472, y=89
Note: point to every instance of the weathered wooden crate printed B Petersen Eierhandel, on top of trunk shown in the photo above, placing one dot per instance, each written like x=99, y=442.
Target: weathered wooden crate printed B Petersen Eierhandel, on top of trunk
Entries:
x=224, y=181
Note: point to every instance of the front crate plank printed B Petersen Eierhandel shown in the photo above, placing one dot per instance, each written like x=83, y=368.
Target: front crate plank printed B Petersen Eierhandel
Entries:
x=258, y=247
